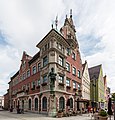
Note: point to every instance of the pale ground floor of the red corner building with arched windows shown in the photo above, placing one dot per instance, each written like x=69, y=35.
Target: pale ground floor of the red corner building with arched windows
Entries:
x=46, y=103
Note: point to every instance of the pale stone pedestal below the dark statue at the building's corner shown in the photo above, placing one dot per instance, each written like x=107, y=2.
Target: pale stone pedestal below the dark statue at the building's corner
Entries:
x=52, y=108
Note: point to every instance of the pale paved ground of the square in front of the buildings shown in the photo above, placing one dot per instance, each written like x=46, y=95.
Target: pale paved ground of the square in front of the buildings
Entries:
x=6, y=115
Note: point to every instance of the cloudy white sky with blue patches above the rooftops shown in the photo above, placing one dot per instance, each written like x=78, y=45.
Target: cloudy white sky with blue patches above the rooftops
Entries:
x=23, y=23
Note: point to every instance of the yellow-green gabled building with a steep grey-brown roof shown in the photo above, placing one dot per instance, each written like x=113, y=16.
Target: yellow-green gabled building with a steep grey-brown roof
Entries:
x=97, y=86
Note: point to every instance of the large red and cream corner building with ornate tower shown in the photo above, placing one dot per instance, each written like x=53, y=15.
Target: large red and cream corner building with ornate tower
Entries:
x=30, y=86
